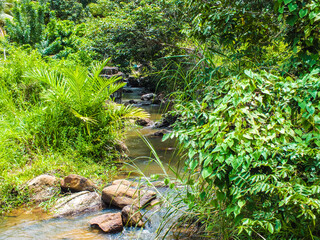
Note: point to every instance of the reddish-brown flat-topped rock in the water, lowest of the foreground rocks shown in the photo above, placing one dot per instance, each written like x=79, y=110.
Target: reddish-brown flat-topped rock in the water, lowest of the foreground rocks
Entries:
x=109, y=223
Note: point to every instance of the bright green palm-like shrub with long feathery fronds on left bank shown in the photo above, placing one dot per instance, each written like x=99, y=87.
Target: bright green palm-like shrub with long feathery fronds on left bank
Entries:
x=76, y=109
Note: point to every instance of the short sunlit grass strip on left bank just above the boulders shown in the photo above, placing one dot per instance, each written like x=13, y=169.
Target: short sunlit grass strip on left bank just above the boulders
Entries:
x=17, y=168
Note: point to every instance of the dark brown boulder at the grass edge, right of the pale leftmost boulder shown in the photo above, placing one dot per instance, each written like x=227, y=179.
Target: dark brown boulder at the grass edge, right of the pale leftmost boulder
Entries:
x=76, y=183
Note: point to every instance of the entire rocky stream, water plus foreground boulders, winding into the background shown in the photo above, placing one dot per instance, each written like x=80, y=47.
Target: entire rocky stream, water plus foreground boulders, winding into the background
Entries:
x=123, y=209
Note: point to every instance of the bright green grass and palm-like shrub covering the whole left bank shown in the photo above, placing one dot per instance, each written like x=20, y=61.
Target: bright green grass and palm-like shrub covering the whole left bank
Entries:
x=56, y=116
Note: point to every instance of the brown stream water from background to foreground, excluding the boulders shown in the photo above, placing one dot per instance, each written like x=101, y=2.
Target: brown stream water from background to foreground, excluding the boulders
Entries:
x=36, y=224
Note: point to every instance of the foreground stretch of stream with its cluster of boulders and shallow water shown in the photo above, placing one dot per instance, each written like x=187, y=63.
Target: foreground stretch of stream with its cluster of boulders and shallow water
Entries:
x=122, y=210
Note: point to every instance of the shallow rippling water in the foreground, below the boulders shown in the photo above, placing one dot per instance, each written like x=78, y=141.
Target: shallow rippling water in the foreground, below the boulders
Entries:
x=35, y=224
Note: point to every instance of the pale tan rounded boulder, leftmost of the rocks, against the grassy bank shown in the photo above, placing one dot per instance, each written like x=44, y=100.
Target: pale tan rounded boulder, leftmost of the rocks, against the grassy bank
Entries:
x=43, y=187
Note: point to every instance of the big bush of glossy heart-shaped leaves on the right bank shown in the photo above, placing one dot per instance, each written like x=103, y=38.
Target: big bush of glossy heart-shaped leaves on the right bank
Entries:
x=253, y=153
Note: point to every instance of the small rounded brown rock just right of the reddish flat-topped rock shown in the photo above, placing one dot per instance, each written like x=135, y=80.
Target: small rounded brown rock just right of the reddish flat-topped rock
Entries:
x=131, y=216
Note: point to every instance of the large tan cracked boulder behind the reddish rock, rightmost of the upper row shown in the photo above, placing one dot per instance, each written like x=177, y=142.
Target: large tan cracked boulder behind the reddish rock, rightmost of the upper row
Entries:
x=122, y=195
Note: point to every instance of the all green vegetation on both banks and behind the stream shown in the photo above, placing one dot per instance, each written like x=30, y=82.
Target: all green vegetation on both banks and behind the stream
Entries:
x=244, y=77
